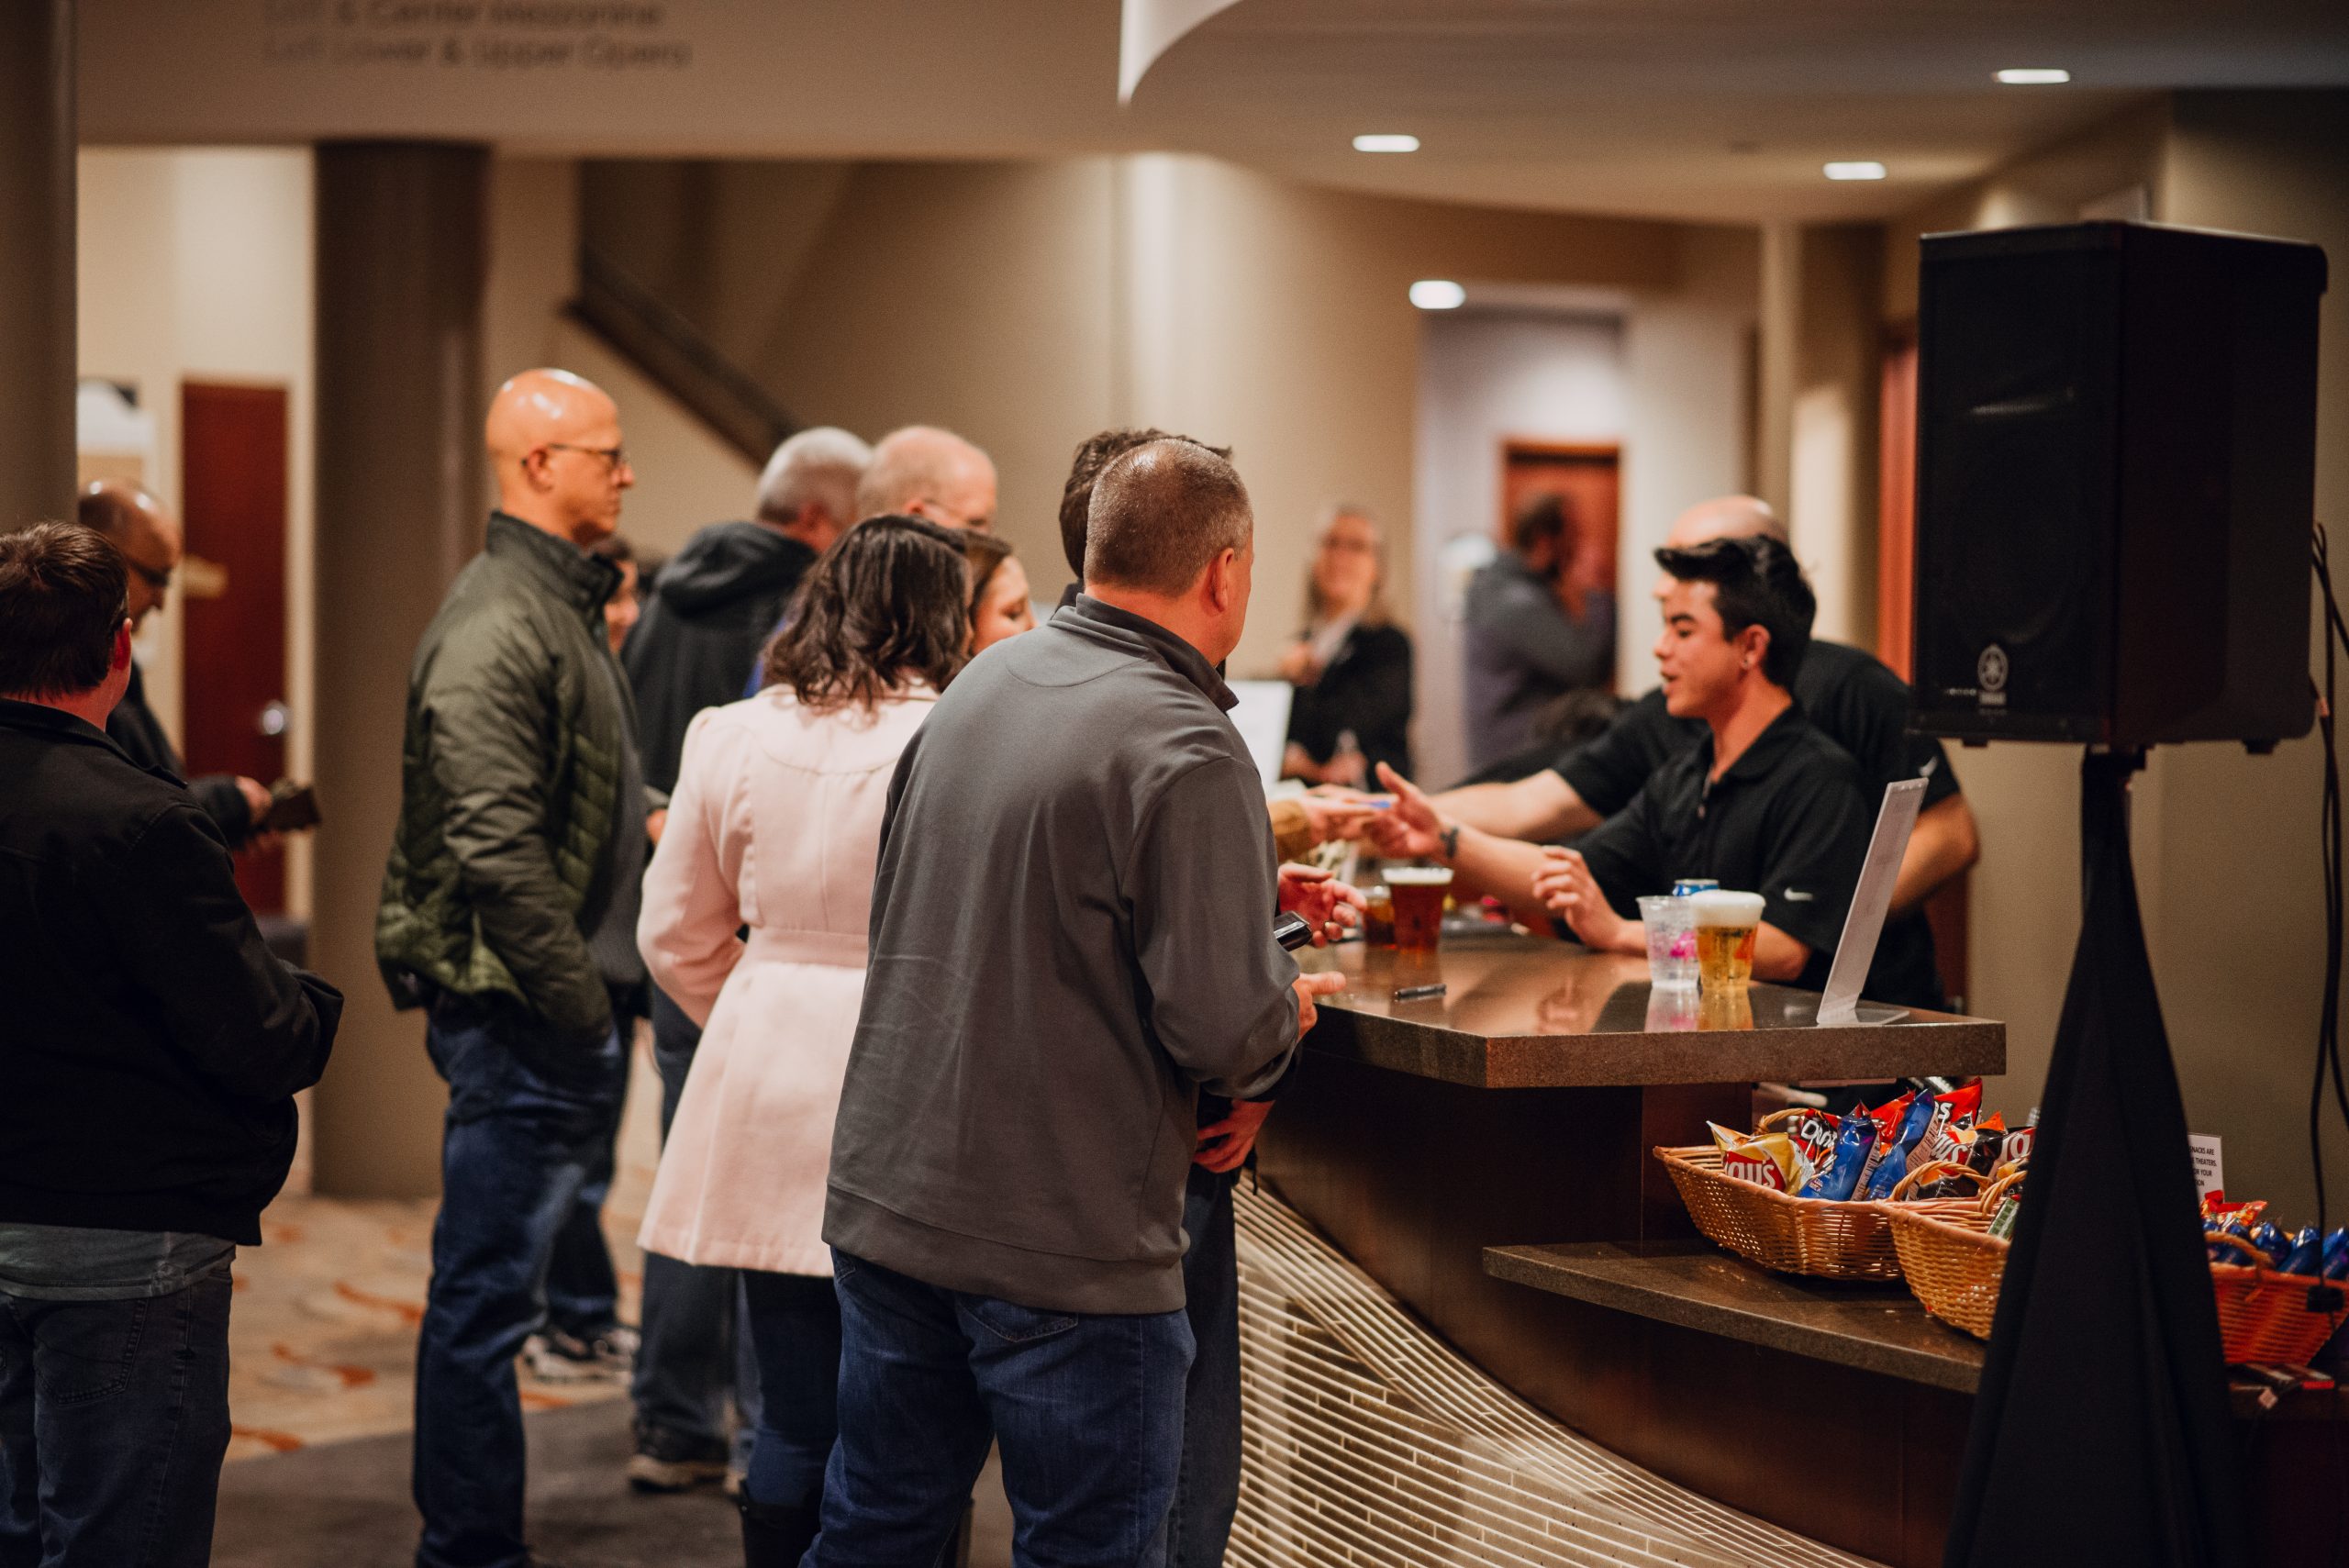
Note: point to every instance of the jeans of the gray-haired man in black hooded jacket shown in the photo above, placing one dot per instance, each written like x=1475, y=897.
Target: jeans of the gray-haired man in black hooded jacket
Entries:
x=692, y=1356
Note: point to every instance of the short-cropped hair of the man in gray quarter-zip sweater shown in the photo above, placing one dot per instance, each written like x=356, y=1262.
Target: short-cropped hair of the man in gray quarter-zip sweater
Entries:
x=1162, y=515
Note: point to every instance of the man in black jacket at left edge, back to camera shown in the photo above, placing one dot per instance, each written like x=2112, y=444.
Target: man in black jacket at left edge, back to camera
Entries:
x=152, y=1055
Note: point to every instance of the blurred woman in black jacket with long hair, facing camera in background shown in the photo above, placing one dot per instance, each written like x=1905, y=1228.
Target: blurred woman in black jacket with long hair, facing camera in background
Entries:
x=1352, y=668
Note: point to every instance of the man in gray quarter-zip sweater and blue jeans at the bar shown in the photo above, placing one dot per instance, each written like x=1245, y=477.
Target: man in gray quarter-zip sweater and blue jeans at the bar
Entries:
x=1072, y=935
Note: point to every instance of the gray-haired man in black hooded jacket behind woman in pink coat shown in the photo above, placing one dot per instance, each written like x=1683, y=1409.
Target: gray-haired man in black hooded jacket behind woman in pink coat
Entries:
x=696, y=644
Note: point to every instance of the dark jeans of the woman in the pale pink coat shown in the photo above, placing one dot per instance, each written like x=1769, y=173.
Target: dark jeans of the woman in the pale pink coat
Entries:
x=795, y=1330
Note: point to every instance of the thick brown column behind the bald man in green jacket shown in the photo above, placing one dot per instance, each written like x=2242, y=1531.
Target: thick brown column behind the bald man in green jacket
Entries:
x=401, y=281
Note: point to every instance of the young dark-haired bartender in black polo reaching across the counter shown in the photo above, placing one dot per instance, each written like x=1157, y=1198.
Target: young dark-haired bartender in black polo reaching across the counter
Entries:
x=1763, y=802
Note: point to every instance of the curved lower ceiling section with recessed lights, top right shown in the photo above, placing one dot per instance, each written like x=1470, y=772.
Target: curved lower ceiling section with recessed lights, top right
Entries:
x=1697, y=109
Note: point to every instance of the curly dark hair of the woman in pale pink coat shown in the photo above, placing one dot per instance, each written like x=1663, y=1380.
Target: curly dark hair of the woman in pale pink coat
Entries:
x=889, y=604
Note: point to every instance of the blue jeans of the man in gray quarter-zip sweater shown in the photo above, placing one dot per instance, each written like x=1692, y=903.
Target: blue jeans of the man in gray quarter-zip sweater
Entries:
x=1084, y=1407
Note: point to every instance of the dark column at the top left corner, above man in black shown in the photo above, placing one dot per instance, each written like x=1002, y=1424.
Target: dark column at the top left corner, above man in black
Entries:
x=36, y=262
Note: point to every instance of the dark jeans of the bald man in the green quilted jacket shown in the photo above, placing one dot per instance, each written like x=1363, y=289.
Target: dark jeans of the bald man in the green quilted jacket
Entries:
x=530, y=1121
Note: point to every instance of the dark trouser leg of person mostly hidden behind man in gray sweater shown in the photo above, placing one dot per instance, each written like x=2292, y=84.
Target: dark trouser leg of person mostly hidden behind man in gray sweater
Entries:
x=1209, y=1489
